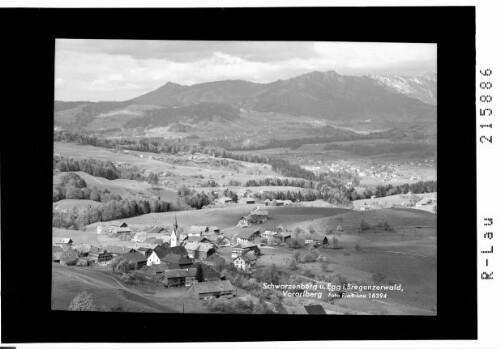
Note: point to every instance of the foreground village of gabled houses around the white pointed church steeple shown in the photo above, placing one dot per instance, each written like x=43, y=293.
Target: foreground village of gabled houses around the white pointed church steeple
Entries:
x=191, y=260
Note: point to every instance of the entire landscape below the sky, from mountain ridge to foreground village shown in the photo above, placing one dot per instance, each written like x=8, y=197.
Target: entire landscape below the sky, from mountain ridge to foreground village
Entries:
x=315, y=194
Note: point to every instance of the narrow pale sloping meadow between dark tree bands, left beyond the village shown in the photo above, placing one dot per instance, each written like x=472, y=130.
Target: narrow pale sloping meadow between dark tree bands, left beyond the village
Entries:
x=126, y=188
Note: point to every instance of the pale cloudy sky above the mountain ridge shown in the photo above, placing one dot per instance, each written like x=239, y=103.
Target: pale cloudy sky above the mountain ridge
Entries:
x=98, y=70
